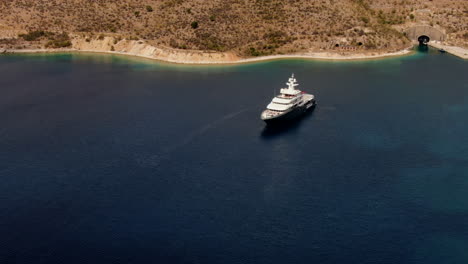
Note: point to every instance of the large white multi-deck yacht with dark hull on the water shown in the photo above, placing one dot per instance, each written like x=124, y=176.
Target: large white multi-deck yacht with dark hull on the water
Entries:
x=289, y=104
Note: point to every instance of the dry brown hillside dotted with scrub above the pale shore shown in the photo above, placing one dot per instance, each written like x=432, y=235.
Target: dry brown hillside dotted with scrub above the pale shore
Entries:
x=247, y=27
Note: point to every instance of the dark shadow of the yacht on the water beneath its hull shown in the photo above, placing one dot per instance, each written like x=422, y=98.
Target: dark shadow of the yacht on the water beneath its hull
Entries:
x=272, y=131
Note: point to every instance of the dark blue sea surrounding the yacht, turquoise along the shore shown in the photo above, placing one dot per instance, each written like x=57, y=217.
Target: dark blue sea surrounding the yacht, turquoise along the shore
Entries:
x=107, y=159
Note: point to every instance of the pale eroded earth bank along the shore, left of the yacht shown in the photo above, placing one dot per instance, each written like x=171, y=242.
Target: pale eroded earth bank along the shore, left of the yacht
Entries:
x=142, y=49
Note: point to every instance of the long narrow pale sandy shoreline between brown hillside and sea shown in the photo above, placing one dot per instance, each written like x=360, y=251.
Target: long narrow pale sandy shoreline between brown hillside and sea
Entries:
x=143, y=50
